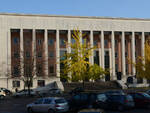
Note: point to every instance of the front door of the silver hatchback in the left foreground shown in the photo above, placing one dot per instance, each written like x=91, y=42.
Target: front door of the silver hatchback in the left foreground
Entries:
x=37, y=106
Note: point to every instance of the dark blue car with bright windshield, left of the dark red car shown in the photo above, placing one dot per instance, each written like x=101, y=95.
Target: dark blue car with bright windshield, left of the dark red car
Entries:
x=115, y=101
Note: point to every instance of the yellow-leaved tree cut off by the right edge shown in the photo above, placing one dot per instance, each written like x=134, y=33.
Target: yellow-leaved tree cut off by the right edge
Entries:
x=143, y=63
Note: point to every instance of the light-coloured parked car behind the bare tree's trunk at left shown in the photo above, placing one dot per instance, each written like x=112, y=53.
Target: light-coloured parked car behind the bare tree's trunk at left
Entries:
x=24, y=92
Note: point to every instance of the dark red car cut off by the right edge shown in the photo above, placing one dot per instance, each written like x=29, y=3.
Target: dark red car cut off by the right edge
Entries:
x=141, y=99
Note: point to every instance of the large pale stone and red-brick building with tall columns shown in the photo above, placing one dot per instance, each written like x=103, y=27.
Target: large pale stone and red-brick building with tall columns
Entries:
x=23, y=36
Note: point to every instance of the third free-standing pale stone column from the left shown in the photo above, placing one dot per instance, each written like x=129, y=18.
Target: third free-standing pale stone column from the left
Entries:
x=46, y=51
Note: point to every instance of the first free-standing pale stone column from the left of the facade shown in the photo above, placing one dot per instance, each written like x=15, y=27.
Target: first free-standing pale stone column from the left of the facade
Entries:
x=21, y=53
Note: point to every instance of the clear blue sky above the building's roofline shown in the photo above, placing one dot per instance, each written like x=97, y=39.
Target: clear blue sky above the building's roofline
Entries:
x=101, y=8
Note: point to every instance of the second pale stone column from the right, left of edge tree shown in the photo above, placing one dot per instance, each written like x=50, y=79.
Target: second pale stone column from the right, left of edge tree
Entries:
x=133, y=52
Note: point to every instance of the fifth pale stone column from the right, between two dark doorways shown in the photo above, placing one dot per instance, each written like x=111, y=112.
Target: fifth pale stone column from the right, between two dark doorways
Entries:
x=102, y=49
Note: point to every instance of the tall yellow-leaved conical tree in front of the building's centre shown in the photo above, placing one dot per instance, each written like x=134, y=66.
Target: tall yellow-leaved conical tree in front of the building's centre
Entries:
x=76, y=64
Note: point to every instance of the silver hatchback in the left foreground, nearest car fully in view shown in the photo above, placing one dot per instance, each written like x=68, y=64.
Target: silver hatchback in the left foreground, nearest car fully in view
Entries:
x=48, y=105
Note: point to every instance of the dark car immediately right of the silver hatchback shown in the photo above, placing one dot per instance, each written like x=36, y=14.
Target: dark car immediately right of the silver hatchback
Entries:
x=81, y=100
